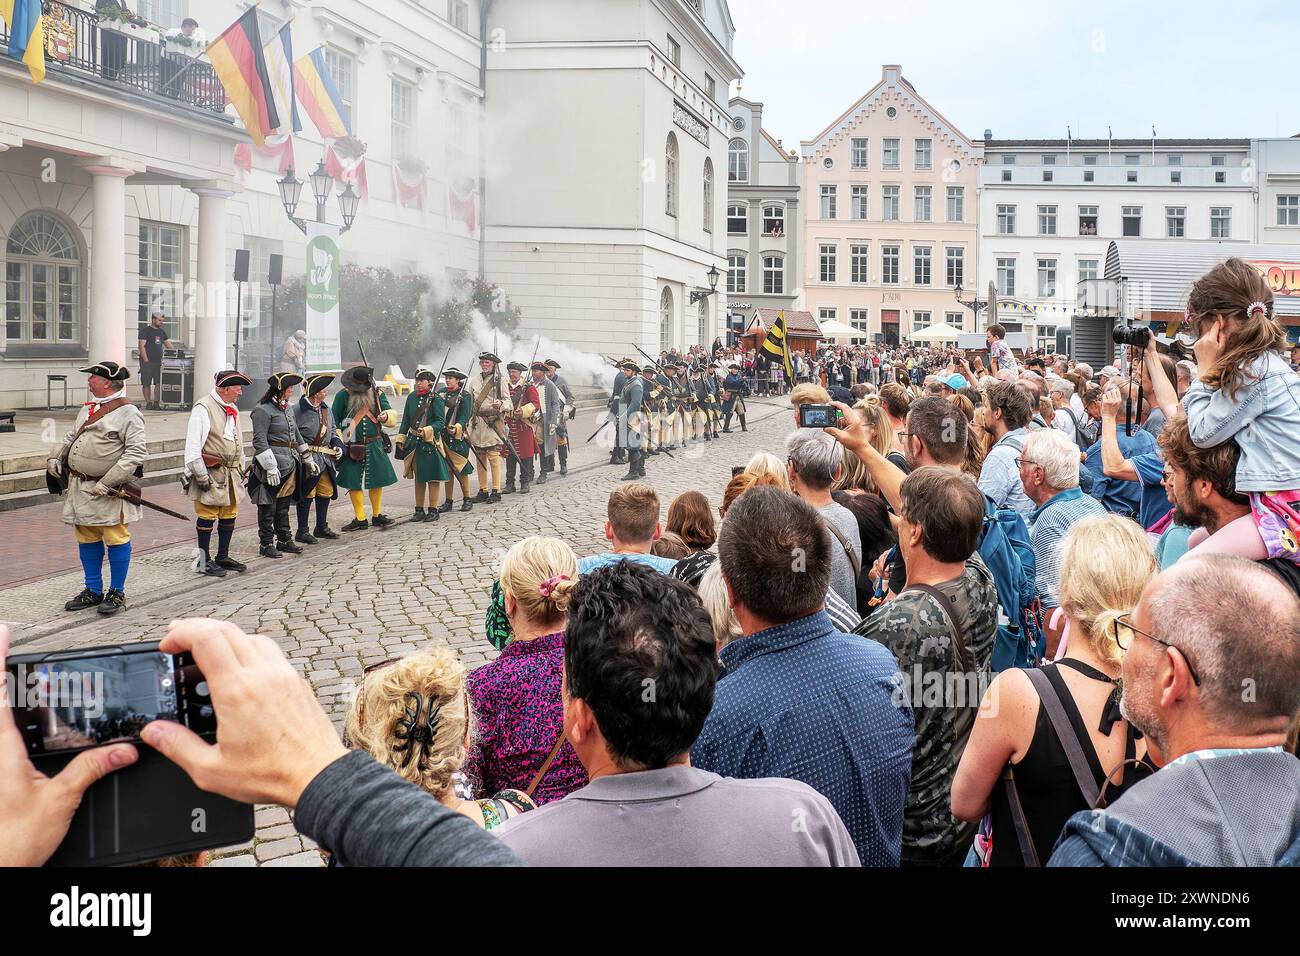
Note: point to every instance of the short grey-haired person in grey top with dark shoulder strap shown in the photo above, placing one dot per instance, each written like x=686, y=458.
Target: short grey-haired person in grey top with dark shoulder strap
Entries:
x=816, y=462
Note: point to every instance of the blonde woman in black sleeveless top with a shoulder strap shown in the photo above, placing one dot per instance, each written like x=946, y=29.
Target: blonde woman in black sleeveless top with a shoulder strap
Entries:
x=1106, y=564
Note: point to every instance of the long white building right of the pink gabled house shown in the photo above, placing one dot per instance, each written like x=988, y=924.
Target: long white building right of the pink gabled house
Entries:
x=1050, y=210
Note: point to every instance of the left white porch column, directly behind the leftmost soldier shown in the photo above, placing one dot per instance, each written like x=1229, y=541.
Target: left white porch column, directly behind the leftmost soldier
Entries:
x=107, y=334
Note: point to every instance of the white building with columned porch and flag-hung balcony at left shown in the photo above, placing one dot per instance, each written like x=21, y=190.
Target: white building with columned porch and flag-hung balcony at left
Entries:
x=122, y=196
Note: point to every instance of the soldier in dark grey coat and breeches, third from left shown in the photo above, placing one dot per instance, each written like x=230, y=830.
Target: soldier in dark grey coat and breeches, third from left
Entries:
x=278, y=452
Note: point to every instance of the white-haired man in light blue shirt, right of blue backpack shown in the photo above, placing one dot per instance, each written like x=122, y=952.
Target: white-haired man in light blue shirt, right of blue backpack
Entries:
x=1050, y=473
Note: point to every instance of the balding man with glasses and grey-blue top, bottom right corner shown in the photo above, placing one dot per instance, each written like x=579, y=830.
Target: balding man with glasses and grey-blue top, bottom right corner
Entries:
x=1217, y=704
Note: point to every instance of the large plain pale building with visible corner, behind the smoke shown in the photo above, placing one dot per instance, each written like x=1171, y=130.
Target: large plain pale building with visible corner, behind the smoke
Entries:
x=606, y=158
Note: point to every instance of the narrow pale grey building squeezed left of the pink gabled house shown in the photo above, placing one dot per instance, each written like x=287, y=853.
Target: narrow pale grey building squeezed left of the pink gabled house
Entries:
x=765, y=217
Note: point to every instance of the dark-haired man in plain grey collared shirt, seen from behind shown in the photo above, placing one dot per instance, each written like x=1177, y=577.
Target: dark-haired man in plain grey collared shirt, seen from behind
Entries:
x=635, y=638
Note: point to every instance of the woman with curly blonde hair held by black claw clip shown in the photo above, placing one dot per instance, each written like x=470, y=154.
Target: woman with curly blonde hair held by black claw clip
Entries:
x=413, y=716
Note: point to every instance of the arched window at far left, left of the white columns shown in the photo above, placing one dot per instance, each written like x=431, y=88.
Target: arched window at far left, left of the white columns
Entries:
x=44, y=275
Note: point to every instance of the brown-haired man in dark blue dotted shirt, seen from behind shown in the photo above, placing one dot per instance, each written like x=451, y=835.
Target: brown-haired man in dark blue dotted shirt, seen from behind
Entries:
x=800, y=699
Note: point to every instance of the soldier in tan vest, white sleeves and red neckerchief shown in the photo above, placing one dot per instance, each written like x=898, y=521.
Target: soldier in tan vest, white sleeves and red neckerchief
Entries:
x=215, y=468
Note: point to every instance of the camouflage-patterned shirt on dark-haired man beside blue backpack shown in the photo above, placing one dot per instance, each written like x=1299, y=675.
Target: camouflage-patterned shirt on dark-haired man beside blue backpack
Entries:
x=944, y=699
